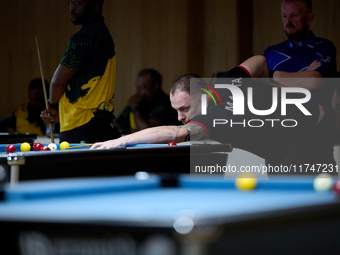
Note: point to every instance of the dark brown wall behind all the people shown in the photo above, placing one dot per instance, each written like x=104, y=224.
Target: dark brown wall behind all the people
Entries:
x=172, y=36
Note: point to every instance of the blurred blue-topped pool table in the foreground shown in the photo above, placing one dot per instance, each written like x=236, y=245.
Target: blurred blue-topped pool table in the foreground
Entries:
x=136, y=215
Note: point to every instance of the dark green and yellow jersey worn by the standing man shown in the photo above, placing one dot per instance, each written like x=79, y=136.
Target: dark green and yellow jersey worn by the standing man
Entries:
x=91, y=55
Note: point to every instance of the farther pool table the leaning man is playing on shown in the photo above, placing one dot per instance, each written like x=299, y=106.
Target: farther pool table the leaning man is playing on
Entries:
x=157, y=158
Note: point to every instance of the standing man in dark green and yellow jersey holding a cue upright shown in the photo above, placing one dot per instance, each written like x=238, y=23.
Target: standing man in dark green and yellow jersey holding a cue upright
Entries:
x=84, y=82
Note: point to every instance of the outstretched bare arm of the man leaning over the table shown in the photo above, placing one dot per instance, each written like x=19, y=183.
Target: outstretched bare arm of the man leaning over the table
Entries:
x=162, y=134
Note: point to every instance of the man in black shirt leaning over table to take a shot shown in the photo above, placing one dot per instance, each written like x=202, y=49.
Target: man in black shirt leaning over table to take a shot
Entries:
x=278, y=143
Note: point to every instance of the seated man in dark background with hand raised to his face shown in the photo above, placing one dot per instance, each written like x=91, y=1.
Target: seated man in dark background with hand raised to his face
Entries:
x=149, y=107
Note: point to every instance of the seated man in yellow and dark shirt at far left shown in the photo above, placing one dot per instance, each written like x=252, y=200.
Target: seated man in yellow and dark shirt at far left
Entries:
x=26, y=117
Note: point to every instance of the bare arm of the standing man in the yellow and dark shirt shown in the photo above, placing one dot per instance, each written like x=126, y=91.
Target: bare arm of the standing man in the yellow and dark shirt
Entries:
x=59, y=82
